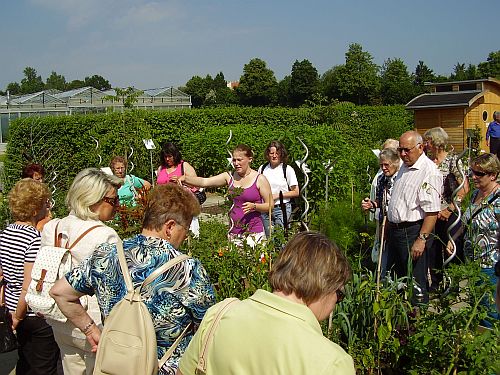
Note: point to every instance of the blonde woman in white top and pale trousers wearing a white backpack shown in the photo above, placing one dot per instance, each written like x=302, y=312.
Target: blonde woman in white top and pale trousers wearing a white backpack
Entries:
x=92, y=199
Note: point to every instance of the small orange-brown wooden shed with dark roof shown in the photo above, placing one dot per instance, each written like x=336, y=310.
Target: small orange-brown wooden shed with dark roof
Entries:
x=456, y=107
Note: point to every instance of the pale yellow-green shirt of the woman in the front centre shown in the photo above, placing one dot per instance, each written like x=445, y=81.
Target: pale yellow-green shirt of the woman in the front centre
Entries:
x=267, y=334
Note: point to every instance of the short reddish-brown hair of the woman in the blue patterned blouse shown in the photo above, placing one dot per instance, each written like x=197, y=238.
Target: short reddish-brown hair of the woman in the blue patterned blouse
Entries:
x=170, y=201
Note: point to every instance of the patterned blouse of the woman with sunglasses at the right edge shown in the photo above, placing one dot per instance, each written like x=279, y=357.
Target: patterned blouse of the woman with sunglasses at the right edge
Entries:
x=481, y=236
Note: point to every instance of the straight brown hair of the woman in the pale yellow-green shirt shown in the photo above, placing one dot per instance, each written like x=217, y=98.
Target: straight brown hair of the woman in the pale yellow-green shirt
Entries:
x=310, y=266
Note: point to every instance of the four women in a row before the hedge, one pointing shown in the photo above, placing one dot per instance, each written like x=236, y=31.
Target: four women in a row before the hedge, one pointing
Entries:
x=254, y=193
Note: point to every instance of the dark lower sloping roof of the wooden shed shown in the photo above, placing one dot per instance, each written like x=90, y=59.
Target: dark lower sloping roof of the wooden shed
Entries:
x=445, y=99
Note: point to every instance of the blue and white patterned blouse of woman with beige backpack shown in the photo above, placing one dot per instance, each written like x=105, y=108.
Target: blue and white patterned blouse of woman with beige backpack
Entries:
x=180, y=296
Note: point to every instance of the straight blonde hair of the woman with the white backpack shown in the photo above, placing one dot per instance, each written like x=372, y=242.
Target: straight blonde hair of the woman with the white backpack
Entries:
x=87, y=189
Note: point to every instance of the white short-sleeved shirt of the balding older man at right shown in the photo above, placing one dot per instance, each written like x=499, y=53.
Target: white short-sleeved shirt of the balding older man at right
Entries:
x=417, y=190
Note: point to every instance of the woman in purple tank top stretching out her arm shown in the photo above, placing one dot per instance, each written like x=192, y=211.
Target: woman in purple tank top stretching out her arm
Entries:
x=250, y=191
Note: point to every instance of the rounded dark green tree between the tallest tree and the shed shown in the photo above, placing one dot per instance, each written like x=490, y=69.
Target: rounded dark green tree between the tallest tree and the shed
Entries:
x=395, y=82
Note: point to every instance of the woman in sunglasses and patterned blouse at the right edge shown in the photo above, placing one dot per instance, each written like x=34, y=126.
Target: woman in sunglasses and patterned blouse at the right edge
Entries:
x=482, y=218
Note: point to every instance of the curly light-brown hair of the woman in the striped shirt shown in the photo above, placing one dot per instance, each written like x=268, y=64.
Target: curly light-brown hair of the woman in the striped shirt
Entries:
x=27, y=199
